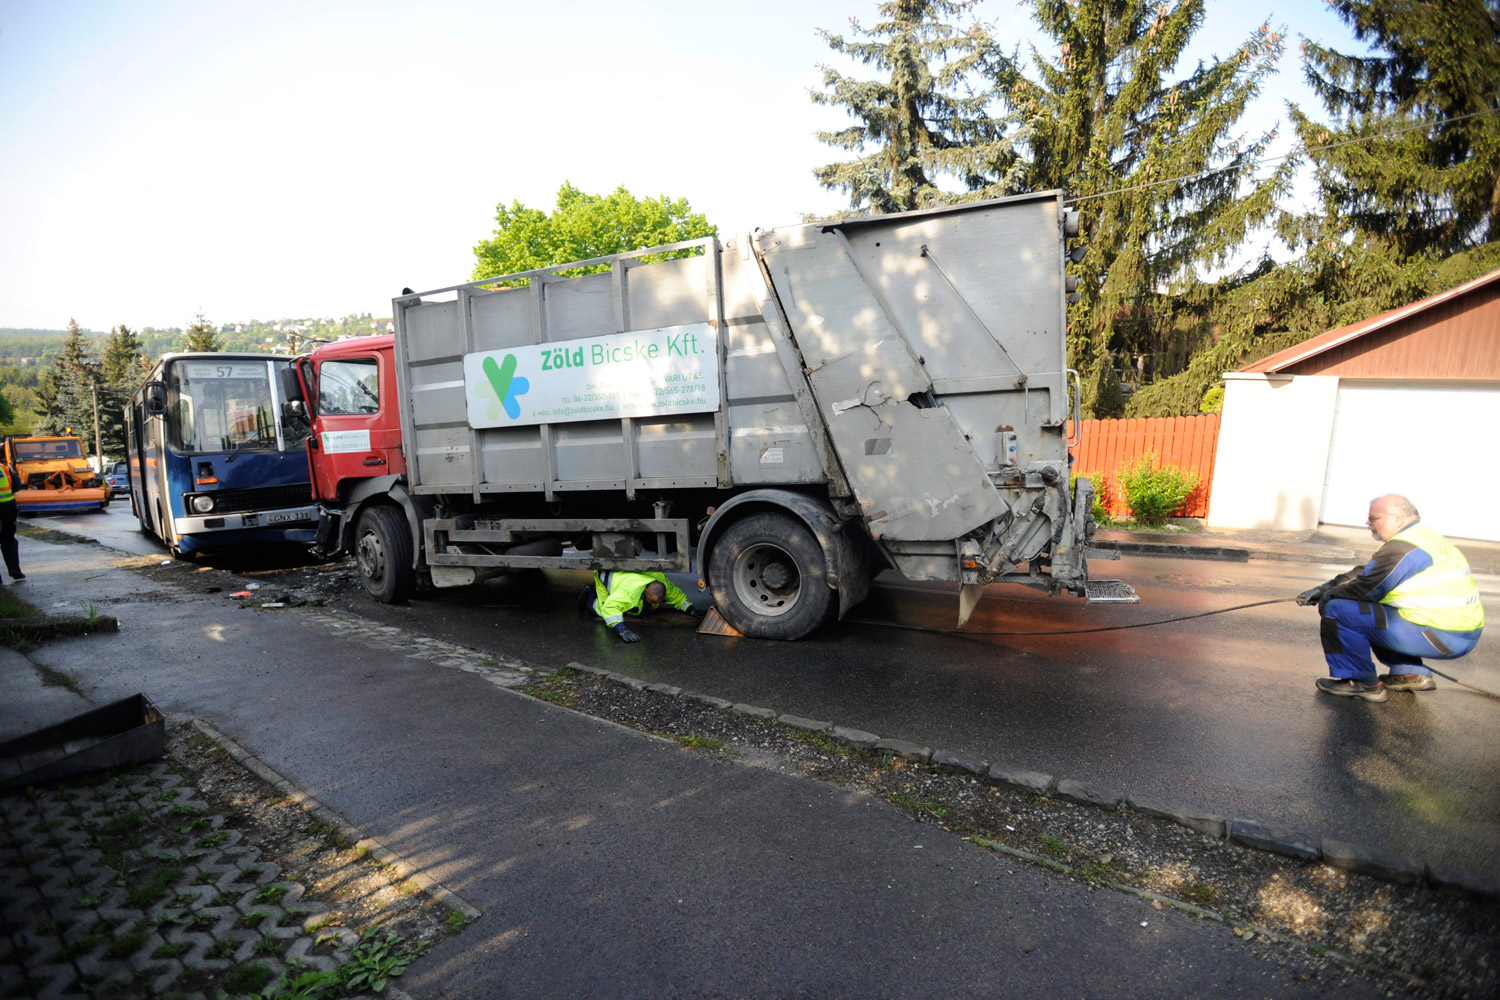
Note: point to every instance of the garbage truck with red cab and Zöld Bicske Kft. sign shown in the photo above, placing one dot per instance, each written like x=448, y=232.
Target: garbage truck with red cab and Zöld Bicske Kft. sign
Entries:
x=785, y=415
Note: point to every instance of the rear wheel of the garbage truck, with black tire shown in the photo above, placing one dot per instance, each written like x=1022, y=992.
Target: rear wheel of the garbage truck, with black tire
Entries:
x=769, y=578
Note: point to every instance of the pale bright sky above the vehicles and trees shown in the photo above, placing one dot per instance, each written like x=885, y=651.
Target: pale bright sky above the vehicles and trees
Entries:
x=265, y=161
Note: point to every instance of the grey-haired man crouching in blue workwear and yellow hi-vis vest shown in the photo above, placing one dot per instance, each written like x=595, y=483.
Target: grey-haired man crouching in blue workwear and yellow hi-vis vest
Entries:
x=1414, y=599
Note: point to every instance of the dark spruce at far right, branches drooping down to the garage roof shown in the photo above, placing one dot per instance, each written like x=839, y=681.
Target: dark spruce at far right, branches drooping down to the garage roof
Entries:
x=1408, y=190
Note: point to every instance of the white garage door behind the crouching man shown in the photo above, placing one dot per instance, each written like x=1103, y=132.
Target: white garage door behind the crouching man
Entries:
x=1430, y=442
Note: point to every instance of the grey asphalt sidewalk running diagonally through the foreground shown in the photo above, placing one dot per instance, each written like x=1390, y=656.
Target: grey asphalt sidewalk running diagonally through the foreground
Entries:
x=611, y=863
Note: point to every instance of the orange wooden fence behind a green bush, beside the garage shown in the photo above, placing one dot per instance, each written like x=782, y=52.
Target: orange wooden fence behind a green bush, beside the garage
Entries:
x=1111, y=446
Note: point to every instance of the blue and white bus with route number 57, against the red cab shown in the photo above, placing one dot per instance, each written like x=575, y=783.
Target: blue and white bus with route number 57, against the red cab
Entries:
x=214, y=463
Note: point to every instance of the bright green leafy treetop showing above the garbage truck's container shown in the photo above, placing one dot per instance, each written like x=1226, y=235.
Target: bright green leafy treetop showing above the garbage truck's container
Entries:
x=586, y=227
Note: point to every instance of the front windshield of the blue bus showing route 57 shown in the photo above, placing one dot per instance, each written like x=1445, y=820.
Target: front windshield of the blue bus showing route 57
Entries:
x=223, y=407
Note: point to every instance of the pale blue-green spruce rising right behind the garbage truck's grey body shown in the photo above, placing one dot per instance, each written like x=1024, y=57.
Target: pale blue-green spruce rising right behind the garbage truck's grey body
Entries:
x=931, y=119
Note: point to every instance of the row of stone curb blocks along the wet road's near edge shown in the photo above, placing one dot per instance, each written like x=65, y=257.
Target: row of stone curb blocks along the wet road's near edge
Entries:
x=1369, y=861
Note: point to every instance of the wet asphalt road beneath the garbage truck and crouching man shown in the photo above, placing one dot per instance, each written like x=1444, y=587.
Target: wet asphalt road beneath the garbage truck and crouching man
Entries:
x=1216, y=713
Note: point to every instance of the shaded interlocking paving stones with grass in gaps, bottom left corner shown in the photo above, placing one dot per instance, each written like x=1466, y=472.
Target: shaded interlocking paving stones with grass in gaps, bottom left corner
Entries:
x=73, y=927
